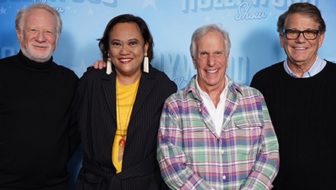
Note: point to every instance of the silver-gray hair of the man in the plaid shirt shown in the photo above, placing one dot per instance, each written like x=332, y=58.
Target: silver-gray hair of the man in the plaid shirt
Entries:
x=201, y=31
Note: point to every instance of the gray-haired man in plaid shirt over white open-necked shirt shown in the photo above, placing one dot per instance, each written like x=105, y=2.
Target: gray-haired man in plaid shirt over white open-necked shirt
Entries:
x=216, y=134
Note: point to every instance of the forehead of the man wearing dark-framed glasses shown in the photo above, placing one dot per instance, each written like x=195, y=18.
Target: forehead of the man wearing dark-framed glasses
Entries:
x=301, y=21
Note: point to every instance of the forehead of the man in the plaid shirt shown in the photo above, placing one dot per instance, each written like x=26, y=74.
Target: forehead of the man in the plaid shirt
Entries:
x=212, y=40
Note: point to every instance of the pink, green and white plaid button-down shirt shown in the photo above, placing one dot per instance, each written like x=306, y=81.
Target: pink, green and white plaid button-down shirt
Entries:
x=192, y=156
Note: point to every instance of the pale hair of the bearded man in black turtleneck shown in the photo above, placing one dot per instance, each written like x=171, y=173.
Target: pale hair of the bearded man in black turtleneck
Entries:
x=20, y=16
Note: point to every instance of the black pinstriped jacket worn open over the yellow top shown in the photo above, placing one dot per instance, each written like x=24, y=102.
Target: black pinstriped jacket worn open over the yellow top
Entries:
x=96, y=104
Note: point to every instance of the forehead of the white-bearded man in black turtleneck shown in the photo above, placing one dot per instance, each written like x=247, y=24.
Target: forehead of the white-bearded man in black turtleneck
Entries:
x=41, y=18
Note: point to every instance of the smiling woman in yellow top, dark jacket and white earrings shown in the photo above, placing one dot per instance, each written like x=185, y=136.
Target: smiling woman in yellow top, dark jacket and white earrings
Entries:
x=119, y=110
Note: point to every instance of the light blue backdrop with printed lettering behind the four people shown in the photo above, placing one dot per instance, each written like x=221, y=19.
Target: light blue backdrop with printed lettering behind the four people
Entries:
x=251, y=24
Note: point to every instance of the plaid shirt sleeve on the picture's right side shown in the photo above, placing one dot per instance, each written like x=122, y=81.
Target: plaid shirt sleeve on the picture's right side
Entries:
x=267, y=163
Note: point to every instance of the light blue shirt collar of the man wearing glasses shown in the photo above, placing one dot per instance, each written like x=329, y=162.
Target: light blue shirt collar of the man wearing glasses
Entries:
x=317, y=67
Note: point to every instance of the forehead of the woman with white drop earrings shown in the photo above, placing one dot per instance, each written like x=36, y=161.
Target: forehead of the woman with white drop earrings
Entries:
x=125, y=31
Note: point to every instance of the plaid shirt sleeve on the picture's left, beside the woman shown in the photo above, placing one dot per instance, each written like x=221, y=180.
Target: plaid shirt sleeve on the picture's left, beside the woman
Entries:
x=172, y=159
